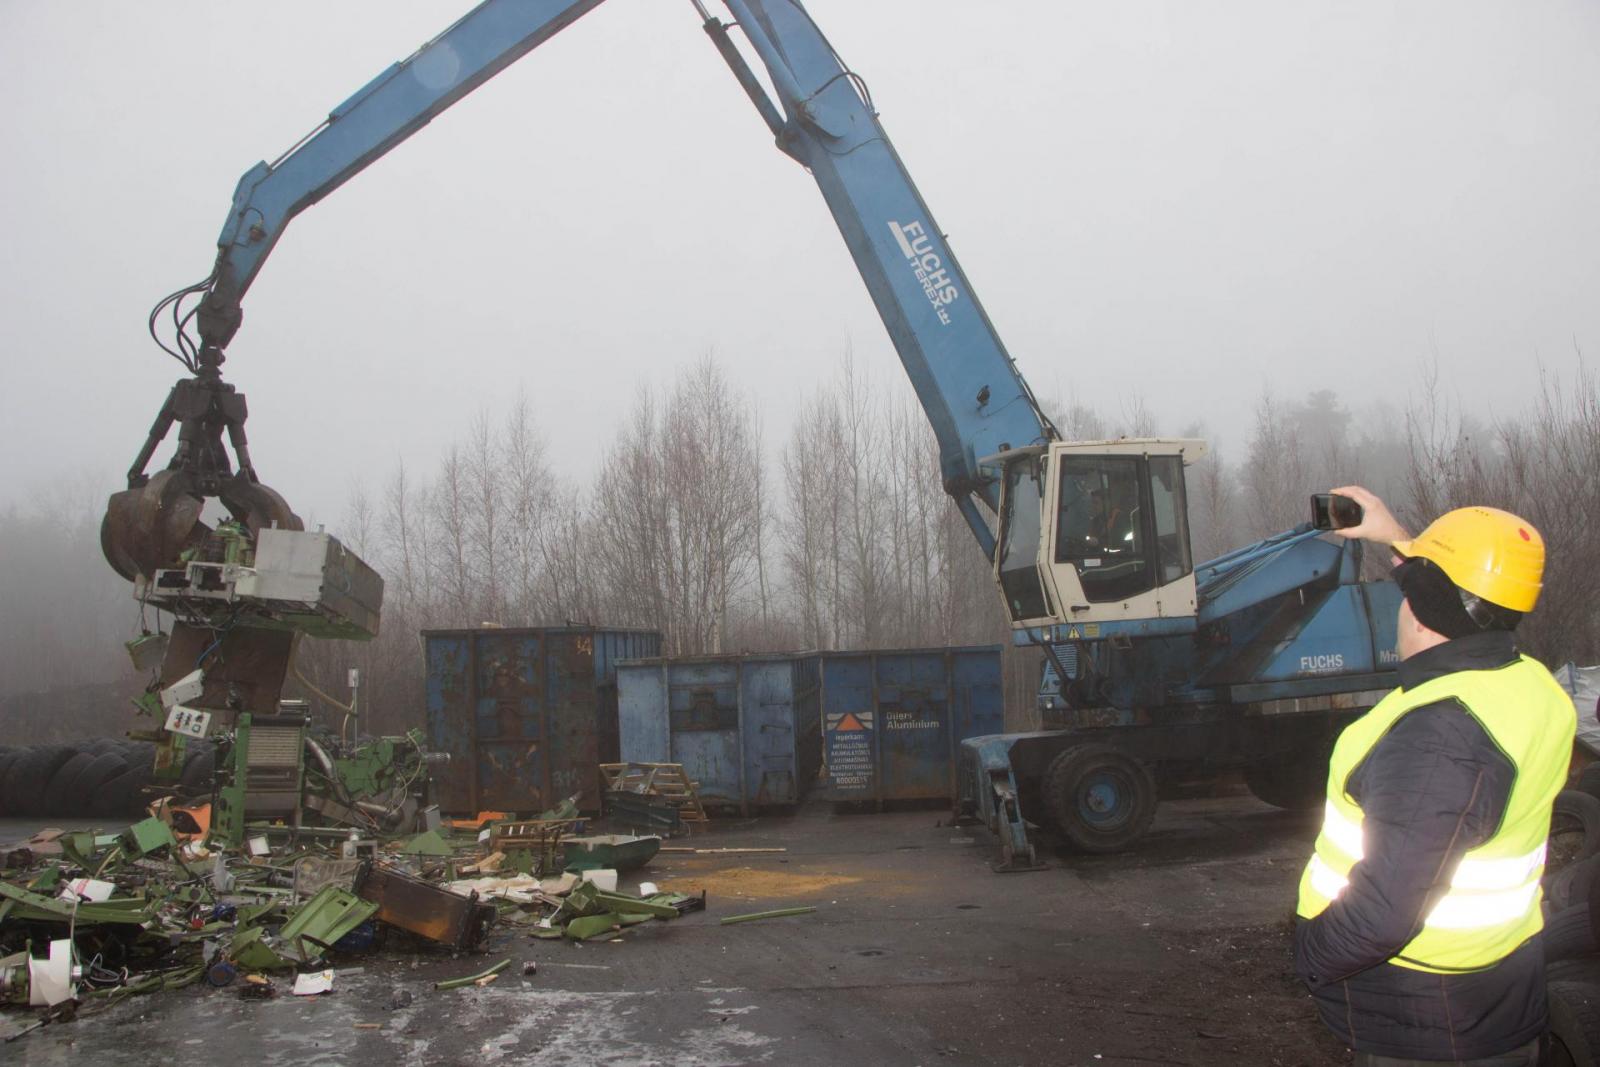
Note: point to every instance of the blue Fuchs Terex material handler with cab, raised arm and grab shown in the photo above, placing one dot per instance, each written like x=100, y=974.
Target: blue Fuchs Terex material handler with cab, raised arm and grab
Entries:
x=1153, y=666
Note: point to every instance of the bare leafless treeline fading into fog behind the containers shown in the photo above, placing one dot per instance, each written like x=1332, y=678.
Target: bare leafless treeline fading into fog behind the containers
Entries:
x=702, y=524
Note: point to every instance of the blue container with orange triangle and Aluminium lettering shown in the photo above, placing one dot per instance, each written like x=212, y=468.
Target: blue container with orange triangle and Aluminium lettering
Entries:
x=894, y=721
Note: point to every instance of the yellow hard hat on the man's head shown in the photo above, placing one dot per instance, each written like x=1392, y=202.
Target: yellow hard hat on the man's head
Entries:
x=1487, y=553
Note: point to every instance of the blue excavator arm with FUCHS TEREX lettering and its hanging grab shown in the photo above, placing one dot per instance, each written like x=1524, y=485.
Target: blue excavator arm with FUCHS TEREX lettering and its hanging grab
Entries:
x=823, y=118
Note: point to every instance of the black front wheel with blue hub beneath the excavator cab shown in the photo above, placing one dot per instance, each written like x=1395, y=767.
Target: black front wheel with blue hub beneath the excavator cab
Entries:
x=1103, y=799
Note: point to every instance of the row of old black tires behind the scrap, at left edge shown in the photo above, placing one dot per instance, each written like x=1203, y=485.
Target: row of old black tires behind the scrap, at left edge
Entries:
x=106, y=777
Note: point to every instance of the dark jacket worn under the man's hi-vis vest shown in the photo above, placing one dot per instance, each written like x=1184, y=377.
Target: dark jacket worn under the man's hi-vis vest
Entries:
x=1430, y=791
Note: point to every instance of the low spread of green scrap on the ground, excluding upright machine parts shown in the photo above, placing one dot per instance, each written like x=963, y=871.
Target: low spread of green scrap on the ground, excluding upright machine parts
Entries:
x=90, y=917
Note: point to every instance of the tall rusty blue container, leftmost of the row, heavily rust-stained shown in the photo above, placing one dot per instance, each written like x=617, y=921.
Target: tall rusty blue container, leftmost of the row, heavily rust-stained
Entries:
x=527, y=716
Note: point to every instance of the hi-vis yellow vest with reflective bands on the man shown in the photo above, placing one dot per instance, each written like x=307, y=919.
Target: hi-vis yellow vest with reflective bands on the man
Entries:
x=1494, y=900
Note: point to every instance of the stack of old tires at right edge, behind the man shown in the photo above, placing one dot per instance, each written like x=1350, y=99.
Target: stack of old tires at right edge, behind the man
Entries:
x=1572, y=949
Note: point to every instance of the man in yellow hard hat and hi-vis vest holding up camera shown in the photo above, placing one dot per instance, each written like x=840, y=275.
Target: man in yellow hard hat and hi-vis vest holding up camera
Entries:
x=1420, y=909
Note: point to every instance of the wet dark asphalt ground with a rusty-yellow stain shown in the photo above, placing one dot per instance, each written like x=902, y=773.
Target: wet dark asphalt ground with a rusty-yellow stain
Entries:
x=918, y=954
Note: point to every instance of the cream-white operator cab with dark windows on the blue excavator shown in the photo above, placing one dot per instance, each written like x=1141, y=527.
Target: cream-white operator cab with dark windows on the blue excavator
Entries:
x=1097, y=532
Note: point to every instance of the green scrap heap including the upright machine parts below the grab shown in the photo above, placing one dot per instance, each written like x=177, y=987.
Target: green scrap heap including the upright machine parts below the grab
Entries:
x=351, y=853
